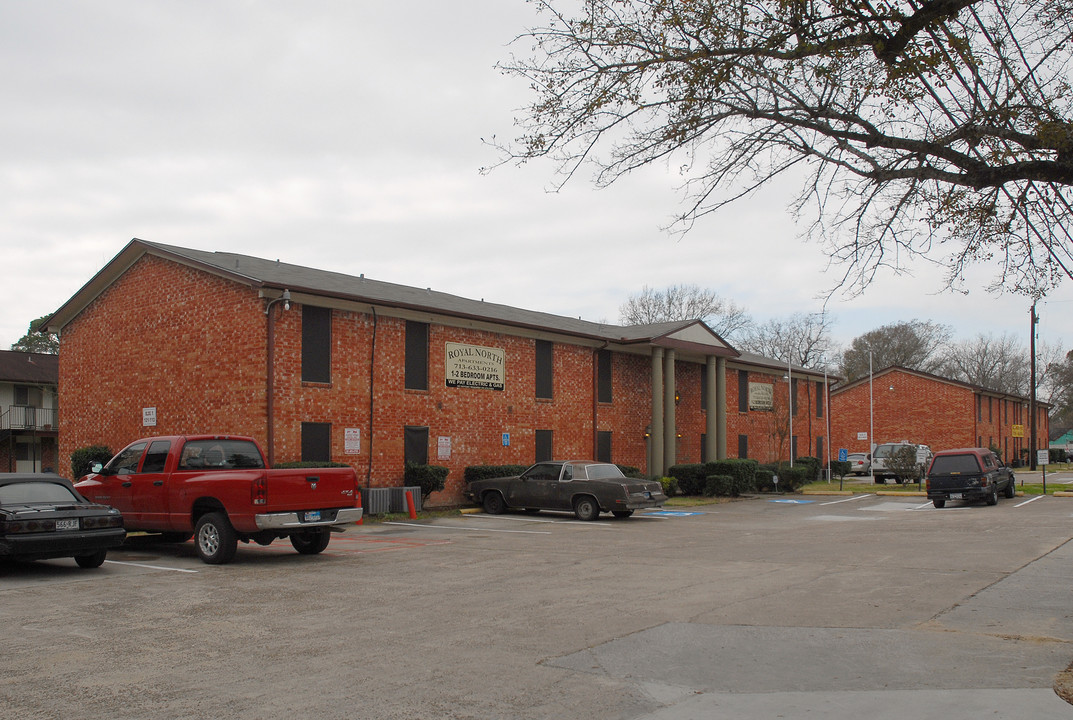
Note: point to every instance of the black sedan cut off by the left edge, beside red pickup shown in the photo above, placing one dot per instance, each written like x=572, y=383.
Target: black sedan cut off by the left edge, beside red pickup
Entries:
x=42, y=517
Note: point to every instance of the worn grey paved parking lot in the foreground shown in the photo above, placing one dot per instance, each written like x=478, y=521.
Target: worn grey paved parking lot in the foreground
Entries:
x=765, y=608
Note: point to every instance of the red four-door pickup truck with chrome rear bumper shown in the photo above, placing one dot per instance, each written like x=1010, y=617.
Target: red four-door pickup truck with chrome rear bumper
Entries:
x=218, y=489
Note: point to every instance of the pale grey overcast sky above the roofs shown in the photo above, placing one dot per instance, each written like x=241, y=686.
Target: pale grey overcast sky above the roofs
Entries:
x=348, y=137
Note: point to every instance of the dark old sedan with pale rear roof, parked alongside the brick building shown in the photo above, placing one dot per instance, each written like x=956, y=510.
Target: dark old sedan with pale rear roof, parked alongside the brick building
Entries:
x=583, y=487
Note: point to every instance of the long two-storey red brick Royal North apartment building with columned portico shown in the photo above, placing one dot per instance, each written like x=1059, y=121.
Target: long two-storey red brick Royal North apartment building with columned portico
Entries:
x=318, y=365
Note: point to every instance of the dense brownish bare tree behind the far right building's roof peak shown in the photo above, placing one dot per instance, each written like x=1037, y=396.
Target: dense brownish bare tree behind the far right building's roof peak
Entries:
x=916, y=345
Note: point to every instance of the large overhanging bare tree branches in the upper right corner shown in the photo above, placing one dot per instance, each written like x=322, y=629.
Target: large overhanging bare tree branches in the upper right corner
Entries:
x=925, y=128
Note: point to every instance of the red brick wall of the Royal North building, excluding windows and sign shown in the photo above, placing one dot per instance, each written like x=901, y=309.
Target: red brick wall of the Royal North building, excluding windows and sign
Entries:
x=194, y=346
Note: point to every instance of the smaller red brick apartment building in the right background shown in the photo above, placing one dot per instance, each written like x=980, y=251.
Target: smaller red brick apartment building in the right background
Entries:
x=938, y=413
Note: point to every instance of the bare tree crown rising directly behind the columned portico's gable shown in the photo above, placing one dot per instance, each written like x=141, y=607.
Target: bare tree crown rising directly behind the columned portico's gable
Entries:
x=685, y=303
